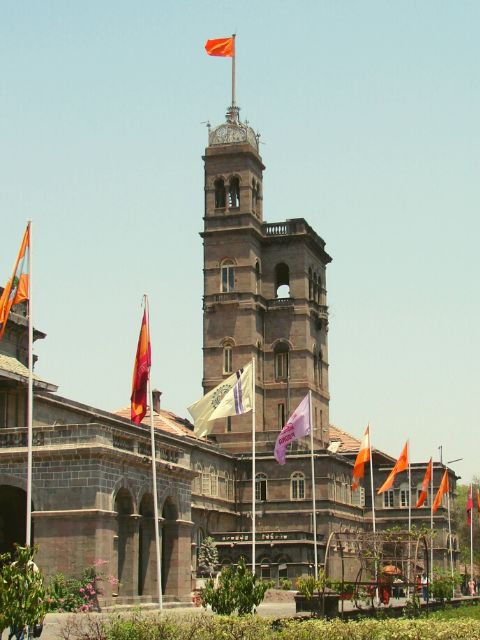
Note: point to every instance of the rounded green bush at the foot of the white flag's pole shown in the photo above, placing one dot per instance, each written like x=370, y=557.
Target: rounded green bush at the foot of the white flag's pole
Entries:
x=238, y=590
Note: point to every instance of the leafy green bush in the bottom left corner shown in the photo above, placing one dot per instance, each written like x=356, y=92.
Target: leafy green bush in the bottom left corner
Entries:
x=22, y=594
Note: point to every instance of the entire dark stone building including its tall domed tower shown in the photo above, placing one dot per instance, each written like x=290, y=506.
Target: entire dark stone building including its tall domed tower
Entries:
x=264, y=298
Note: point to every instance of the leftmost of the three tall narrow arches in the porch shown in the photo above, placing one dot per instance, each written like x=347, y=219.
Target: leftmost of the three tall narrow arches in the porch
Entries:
x=124, y=540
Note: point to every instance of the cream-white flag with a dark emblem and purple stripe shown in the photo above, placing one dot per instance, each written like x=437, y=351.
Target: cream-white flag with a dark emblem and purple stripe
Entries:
x=232, y=397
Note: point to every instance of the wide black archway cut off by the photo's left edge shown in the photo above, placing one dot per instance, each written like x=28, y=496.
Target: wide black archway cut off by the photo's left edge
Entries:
x=13, y=507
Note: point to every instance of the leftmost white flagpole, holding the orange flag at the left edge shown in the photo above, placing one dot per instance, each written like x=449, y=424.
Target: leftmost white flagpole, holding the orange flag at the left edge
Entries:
x=29, y=393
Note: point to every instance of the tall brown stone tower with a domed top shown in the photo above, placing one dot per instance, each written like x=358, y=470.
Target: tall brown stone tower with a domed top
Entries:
x=264, y=294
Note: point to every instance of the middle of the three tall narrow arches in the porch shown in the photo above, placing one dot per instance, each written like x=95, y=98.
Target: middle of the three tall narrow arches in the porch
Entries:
x=146, y=547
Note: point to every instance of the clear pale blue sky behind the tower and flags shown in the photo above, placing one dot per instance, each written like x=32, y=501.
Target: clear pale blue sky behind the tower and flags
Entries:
x=369, y=116
